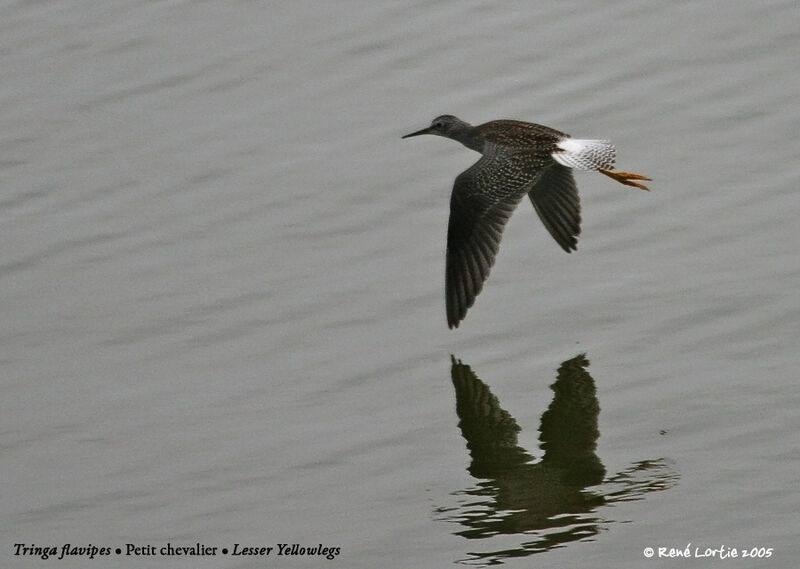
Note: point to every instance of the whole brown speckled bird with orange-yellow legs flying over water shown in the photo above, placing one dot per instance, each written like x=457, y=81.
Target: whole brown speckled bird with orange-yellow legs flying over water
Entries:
x=518, y=158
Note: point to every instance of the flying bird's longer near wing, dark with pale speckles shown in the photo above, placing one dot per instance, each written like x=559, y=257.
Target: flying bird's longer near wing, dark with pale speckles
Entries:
x=483, y=199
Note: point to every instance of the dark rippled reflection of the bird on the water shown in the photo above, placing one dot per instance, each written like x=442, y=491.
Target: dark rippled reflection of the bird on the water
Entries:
x=548, y=501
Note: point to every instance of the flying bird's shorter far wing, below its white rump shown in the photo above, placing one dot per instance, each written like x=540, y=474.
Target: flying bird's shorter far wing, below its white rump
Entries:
x=555, y=198
